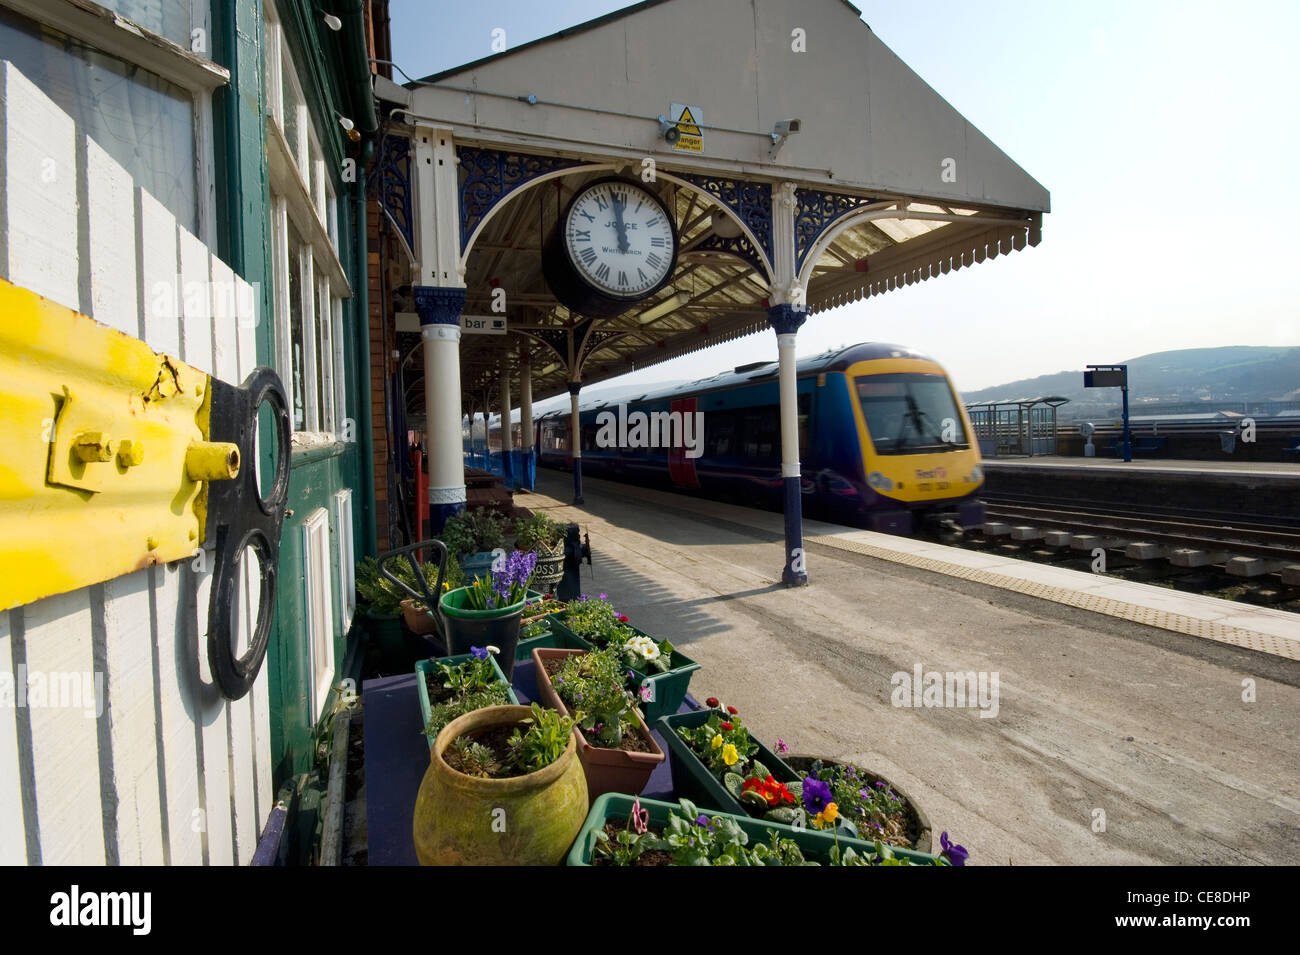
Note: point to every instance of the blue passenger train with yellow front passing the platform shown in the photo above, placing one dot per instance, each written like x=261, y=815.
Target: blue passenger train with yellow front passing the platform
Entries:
x=885, y=441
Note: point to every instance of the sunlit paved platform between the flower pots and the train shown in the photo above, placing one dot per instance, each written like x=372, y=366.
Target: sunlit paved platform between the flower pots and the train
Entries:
x=1119, y=702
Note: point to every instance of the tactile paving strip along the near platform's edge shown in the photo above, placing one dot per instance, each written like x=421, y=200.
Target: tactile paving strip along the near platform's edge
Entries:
x=1137, y=614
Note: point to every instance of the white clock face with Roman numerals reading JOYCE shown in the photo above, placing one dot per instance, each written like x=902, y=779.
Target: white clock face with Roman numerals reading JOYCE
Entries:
x=621, y=240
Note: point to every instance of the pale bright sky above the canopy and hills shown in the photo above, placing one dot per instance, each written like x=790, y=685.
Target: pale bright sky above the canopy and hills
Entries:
x=1167, y=133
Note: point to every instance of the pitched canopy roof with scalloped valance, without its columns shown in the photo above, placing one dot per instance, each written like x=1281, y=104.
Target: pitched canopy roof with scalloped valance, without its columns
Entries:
x=584, y=103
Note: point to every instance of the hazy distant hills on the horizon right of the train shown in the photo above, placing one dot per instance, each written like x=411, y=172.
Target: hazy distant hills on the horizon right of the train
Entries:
x=1233, y=374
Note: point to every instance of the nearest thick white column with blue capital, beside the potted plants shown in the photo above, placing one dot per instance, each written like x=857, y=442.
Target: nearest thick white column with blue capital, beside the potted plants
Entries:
x=440, y=327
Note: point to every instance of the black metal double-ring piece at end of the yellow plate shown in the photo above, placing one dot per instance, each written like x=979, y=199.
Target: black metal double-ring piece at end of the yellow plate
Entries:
x=235, y=526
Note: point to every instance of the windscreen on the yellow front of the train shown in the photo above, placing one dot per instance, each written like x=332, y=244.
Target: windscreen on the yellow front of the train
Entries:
x=911, y=414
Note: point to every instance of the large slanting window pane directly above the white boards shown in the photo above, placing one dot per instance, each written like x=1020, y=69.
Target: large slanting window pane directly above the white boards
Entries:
x=141, y=120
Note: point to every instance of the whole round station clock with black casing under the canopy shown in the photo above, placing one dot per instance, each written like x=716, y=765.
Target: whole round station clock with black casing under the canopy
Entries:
x=614, y=246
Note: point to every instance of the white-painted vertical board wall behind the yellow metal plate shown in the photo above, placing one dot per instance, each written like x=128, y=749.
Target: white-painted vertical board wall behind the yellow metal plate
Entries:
x=172, y=772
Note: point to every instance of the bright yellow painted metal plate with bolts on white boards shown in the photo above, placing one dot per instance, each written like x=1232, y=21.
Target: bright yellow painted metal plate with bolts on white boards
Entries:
x=96, y=428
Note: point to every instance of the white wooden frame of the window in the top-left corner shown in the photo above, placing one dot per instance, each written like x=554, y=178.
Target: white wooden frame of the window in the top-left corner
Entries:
x=198, y=75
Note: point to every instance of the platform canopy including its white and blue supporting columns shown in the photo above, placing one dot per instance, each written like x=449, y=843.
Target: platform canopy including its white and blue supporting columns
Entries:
x=803, y=166
